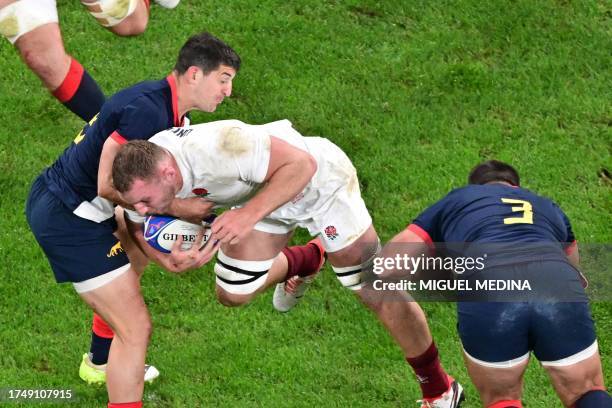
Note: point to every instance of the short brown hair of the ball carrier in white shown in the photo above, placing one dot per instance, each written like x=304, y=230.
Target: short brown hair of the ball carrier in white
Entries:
x=135, y=159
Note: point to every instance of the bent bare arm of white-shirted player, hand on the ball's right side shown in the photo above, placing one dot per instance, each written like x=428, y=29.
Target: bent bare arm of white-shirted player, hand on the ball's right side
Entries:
x=289, y=171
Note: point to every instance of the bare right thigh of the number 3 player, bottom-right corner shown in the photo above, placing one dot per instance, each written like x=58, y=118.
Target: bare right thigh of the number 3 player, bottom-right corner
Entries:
x=573, y=380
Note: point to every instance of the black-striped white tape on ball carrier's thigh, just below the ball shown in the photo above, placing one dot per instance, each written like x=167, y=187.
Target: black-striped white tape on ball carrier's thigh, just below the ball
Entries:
x=241, y=277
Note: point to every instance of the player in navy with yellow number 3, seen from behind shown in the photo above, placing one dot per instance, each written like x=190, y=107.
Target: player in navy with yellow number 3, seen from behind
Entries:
x=534, y=240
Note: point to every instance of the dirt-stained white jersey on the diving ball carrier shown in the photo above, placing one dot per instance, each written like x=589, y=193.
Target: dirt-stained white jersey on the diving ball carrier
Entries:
x=228, y=167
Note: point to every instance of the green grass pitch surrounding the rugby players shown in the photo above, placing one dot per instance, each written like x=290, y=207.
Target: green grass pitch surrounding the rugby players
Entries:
x=415, y=92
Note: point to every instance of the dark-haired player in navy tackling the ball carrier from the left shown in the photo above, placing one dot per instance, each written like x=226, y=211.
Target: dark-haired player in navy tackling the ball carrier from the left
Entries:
x=71, y=210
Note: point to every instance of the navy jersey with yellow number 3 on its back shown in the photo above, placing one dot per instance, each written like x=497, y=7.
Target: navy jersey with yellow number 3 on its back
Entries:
x=534, y=227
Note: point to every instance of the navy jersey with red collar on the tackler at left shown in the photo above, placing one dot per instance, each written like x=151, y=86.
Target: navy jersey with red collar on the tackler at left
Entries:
x=137, y=112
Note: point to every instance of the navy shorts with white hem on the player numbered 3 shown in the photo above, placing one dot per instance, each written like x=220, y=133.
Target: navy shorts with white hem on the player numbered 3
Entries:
x=502, y=334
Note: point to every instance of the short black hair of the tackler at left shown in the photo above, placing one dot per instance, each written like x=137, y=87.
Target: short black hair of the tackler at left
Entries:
x=206, y=52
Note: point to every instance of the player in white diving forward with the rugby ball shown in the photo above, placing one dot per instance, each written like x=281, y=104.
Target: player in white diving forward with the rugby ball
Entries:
x=275, y=180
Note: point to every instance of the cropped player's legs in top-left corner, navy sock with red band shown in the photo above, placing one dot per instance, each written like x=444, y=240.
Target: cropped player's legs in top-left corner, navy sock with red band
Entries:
x=33, y=27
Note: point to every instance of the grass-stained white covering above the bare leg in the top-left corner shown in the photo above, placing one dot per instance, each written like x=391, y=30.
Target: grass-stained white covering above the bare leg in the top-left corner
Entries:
x=23, y=16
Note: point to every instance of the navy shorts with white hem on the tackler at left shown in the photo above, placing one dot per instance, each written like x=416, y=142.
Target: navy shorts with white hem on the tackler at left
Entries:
x=77, y=249
